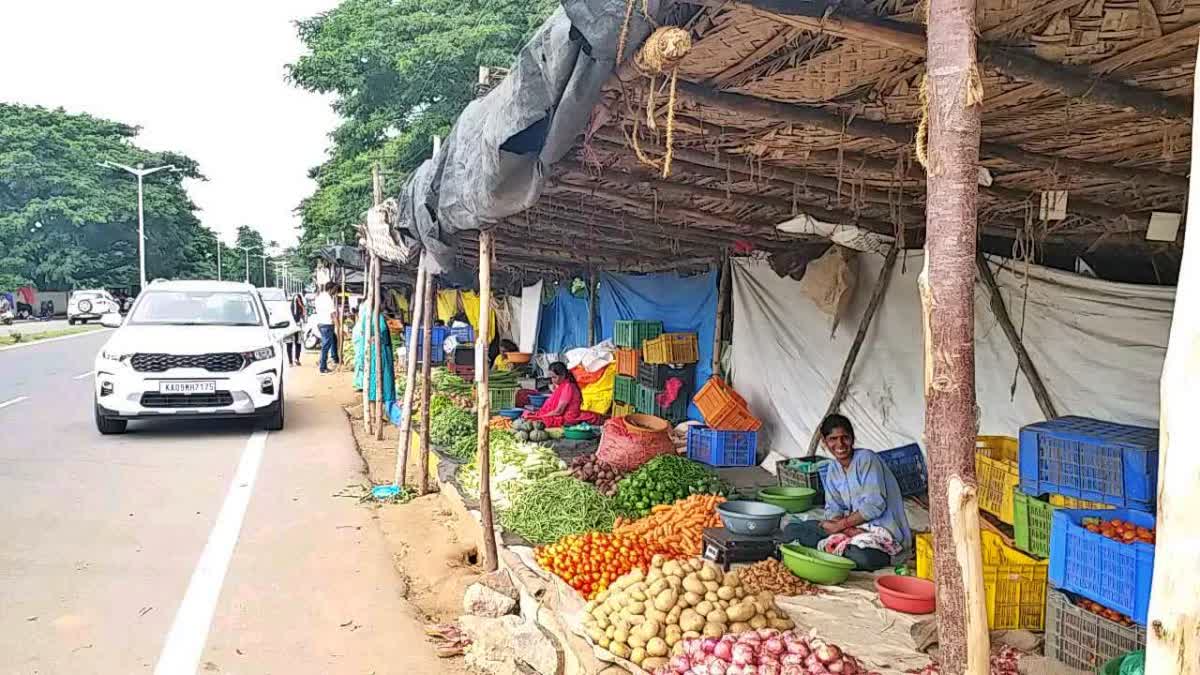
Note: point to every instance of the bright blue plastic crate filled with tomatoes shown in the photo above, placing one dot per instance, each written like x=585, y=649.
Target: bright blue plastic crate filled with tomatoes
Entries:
x=1112, y=574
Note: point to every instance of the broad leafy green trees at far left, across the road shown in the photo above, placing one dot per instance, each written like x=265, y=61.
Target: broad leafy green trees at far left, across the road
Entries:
x=67, y=223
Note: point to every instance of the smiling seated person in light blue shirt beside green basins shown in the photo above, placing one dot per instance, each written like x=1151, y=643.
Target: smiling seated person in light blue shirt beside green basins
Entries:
x=865, y=511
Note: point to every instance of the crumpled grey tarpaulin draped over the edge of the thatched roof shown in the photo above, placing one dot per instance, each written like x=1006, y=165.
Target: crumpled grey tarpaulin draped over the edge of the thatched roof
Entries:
x=494, y=163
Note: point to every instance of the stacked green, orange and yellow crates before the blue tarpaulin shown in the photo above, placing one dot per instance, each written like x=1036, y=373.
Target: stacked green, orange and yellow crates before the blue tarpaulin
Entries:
x=647, y=360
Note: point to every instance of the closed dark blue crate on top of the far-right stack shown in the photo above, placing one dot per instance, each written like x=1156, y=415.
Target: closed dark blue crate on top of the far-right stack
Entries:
x=1090, y=459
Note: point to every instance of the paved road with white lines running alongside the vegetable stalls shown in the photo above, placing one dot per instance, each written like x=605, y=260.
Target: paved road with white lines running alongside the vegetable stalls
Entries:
x=211, y=546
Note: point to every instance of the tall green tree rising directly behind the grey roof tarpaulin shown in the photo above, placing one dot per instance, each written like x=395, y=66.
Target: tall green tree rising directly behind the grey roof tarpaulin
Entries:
x=400, y=73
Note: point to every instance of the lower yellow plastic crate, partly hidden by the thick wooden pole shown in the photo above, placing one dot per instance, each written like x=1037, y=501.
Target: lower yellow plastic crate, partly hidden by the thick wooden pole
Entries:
x=1015, y=584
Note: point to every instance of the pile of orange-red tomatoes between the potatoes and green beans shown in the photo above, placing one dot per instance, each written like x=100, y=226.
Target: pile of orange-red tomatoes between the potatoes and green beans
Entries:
x=590, y=563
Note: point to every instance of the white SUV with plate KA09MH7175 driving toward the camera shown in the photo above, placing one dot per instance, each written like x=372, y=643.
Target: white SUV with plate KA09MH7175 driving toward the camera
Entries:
x=191, y=350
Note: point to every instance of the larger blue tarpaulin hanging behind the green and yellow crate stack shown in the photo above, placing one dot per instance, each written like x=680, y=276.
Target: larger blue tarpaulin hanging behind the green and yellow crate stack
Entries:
x=685, y=304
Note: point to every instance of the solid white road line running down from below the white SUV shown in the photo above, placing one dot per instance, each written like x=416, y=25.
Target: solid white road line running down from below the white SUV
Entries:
x=190, y=631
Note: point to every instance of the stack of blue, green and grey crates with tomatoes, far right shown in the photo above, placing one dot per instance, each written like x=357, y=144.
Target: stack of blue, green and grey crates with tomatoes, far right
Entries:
x=1087, y=501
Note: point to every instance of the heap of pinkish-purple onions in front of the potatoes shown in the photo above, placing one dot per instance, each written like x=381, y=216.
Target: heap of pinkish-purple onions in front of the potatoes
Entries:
x=765, y=652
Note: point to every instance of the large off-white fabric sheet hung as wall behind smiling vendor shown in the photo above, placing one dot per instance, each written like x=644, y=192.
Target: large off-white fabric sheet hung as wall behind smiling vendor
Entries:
x=1100, y=348
